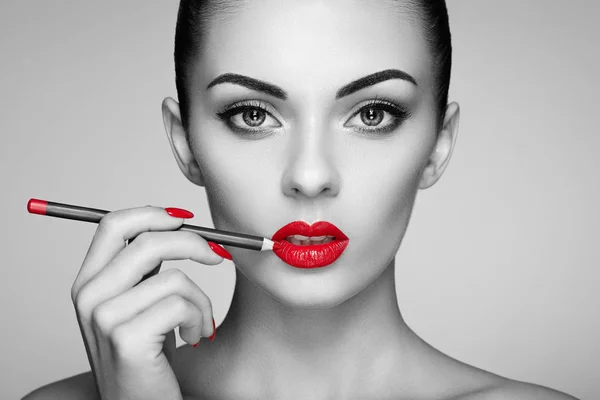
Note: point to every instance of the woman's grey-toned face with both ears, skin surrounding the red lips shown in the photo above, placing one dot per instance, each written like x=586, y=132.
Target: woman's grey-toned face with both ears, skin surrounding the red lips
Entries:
x=302, y=148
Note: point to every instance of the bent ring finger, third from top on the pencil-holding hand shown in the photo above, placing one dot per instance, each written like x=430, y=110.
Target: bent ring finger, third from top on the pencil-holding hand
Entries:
x=127, y=305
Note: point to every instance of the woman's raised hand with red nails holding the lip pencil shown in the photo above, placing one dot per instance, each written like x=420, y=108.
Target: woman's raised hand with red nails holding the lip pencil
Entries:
x=124, y=324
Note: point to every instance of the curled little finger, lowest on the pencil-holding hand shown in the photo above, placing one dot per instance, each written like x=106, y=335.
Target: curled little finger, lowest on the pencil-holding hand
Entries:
x=133, y=338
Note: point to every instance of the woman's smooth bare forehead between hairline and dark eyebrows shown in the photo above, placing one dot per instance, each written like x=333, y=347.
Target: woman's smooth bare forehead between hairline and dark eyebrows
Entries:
x=309, y=43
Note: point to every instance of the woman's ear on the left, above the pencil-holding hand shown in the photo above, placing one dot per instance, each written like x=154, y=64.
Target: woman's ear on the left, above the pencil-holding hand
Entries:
x=179, y=143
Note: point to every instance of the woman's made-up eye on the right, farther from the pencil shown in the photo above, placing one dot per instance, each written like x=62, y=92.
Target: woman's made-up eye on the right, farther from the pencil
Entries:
x=377, y=116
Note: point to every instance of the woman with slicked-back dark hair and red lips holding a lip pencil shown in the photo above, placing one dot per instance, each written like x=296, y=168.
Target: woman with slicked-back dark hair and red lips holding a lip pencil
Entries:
x=315, y=124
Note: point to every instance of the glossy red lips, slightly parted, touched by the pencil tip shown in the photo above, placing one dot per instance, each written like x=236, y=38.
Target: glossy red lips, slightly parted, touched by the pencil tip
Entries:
x=309, y=256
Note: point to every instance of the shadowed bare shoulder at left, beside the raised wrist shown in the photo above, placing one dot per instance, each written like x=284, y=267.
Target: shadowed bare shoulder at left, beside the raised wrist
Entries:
x=78, y=387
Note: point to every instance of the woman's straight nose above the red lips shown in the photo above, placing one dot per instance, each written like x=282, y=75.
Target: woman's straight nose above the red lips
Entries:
x=310, y=170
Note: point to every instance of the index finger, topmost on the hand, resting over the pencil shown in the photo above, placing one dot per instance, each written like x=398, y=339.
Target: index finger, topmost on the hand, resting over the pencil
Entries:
x=113, y=230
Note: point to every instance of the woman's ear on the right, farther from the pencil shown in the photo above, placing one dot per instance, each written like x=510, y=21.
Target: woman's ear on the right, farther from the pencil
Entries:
x=440, y=156
